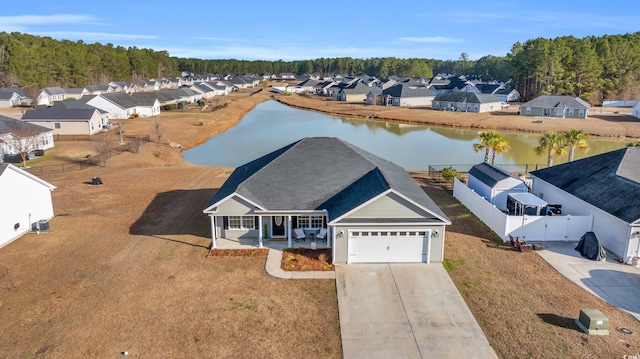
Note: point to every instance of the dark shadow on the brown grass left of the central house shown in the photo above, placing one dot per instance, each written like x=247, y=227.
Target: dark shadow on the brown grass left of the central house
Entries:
x=174, y=213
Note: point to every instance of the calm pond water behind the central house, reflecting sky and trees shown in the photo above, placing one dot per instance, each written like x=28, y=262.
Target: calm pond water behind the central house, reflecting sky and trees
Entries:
x=272, y=125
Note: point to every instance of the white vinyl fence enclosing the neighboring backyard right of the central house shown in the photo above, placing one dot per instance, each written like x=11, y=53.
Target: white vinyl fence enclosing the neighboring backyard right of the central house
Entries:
x=529, y=228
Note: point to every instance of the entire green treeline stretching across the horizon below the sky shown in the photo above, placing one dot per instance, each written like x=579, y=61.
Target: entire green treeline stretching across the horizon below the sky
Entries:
x=593, y=68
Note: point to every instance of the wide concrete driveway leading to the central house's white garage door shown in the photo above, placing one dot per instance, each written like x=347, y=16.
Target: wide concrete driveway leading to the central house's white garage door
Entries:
x=405, y=311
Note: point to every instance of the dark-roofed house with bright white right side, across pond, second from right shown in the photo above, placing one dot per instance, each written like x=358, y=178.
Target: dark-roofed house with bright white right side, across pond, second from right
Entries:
x=466, y=102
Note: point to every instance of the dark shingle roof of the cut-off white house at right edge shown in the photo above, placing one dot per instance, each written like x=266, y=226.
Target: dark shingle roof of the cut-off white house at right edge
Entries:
x=609, y=181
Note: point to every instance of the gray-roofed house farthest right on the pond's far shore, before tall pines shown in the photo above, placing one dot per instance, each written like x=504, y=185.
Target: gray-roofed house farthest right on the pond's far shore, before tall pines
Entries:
x=555, y=106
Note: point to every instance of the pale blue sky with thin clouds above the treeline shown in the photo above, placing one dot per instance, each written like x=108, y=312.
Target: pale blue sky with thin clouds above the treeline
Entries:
x=297, y=30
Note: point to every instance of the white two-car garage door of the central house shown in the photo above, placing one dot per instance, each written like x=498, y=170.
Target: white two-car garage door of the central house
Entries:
x=375, y=246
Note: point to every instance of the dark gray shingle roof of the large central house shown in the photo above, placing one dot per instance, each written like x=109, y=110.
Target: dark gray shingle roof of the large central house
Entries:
x=319, y=173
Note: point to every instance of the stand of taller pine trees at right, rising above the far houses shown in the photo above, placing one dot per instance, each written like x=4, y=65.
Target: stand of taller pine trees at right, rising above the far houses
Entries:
x=592, y=68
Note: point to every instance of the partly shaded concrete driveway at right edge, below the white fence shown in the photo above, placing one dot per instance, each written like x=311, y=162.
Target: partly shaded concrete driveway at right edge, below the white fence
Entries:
x=615, y=283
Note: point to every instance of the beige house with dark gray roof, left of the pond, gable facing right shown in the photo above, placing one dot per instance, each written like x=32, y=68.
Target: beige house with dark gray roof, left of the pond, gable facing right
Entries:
x=68, y=118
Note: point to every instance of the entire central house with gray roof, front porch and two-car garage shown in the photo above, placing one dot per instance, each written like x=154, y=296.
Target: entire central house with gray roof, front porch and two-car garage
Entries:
x=372, y=209
